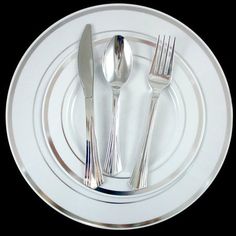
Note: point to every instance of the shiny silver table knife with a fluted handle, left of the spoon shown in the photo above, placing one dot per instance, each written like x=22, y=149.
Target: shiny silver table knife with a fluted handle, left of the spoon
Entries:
x=93, y=173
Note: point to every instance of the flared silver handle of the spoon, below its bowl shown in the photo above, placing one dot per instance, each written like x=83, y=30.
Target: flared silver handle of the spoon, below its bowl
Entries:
x=112, y=164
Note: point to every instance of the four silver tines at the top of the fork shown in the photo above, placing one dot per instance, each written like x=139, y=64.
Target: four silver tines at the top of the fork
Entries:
x=162, y=62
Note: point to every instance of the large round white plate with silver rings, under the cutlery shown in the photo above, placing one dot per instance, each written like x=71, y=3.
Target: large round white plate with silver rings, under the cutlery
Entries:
x=46, y=120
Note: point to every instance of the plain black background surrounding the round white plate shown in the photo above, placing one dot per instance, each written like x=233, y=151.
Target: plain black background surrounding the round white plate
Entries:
x=22, y=208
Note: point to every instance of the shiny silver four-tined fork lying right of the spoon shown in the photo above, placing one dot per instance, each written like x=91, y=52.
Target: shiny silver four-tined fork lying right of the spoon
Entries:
x=159, y=78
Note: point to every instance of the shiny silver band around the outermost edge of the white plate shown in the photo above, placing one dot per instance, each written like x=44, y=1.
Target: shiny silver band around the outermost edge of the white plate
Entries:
x=24, y=60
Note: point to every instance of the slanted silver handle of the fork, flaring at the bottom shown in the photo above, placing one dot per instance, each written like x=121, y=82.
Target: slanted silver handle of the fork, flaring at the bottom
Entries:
x=139, y=177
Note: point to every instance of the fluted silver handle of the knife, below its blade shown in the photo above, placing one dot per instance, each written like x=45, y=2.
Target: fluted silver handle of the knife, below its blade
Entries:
x=93, y=173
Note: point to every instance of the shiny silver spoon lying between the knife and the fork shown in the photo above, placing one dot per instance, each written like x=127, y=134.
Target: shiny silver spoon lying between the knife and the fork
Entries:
x=117, y=64
